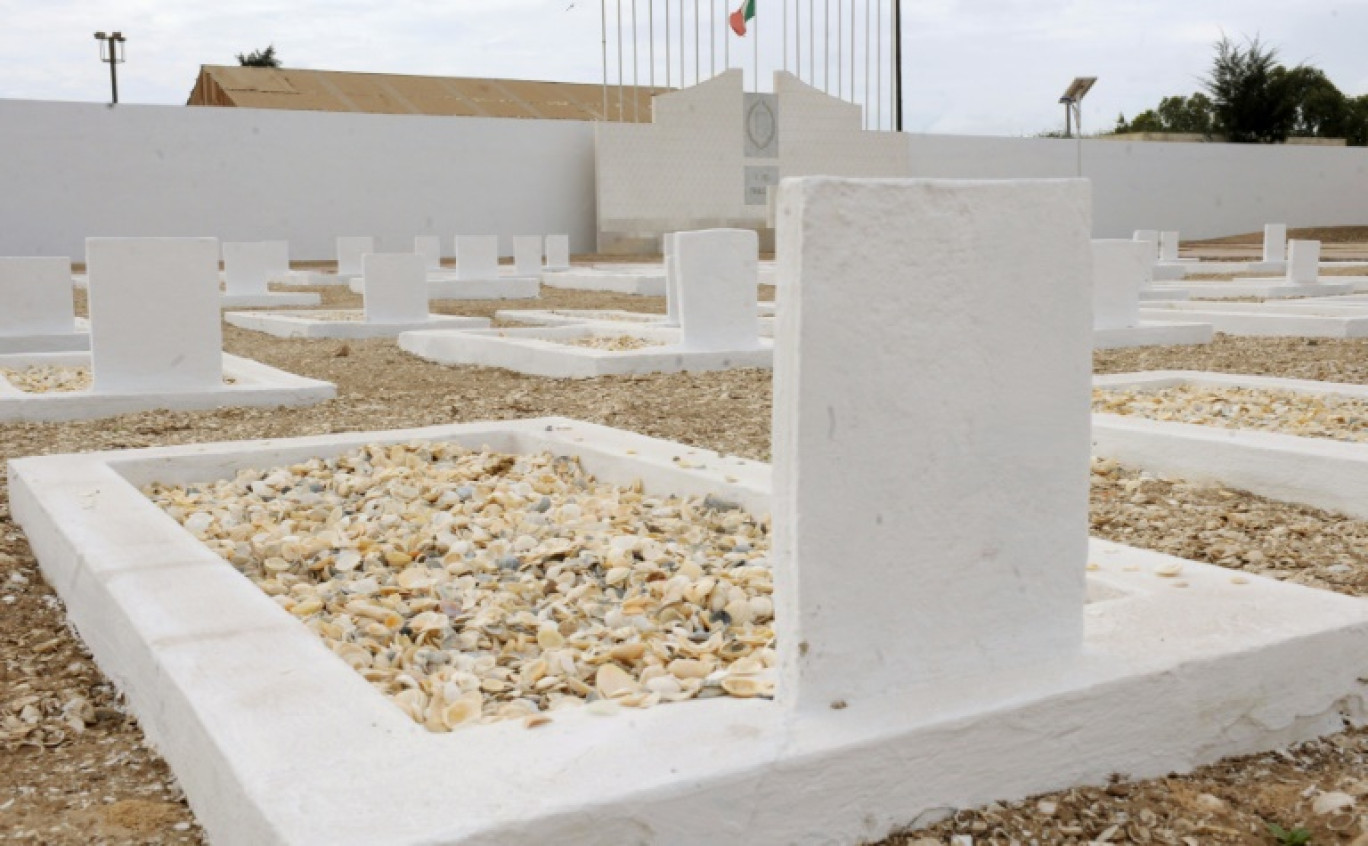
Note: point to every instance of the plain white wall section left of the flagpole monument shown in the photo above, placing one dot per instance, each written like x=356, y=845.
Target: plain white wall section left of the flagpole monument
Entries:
x=92, y=170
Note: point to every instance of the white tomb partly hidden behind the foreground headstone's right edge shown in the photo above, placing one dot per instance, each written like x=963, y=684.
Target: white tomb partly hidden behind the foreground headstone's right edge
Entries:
x=1121, y=272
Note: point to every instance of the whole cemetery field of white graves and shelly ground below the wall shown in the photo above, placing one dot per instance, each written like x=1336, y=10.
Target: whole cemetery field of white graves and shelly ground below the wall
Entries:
x=707, y=548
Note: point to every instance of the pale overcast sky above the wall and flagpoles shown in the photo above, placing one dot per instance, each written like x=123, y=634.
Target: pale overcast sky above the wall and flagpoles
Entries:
x=971, y=66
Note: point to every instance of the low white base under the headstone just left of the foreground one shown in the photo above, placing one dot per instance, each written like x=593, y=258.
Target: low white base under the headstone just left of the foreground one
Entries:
x=542, y=351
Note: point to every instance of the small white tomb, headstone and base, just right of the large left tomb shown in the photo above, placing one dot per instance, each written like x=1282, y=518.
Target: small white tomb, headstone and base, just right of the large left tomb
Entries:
x=396, y=300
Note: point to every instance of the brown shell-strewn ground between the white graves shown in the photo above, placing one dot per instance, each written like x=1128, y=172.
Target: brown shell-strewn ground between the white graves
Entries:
x=76, y=769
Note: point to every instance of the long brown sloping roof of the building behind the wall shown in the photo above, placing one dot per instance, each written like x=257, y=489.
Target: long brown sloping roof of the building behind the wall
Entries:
x=404, y=95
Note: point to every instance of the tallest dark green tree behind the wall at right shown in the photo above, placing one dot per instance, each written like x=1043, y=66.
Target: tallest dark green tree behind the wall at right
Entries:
x=1251, y=102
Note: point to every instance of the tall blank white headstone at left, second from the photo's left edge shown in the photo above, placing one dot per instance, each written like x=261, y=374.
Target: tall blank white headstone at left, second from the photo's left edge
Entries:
x=155, y=320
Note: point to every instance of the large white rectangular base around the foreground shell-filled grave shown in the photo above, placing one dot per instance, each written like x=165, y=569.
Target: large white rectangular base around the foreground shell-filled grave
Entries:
x=276, y=740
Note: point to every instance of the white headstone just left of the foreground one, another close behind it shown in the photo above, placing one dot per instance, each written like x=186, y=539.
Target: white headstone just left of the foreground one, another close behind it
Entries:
x=718, y=288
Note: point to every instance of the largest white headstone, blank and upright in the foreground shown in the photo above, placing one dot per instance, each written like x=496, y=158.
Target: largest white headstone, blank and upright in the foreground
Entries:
x=931, y=455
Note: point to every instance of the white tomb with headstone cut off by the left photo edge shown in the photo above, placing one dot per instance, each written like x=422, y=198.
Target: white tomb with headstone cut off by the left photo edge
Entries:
x=36, y=309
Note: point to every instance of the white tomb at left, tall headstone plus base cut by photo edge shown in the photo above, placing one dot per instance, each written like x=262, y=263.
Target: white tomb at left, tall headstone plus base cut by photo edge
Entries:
x=143, y=358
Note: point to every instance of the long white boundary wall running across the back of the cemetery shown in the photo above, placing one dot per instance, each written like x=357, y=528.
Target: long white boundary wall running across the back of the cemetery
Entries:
x=90, y=170
